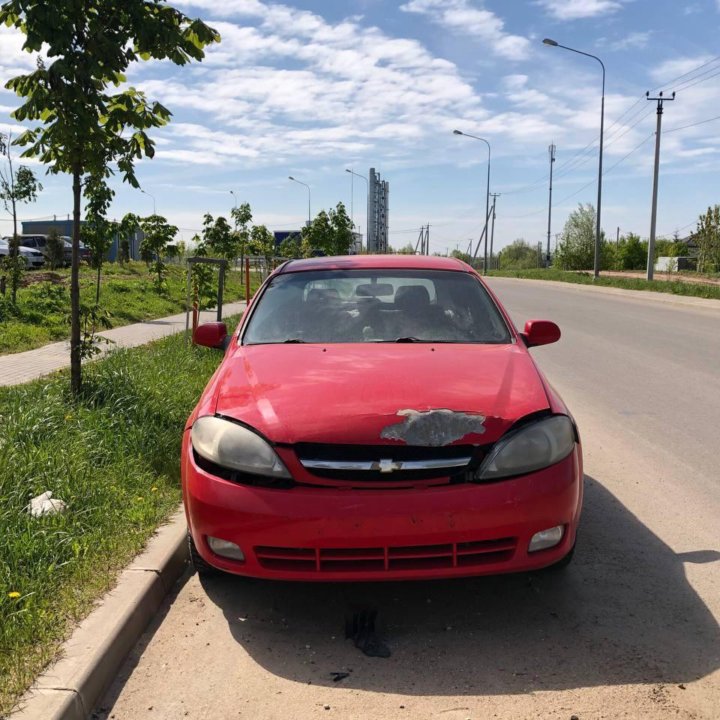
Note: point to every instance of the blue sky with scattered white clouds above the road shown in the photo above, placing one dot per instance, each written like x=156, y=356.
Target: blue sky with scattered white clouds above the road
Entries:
x=310, y=88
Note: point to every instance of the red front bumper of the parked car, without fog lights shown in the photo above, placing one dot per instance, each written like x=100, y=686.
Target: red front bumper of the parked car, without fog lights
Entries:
x=329, y=534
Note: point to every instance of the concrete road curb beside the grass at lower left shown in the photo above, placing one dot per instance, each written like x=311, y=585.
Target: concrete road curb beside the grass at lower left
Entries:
x=70, y=689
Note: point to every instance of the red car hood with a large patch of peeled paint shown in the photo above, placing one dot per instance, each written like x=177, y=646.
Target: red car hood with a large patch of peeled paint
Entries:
x=417, y=394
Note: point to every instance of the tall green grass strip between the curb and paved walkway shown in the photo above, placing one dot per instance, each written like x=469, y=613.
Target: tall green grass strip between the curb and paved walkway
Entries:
x=113, y=457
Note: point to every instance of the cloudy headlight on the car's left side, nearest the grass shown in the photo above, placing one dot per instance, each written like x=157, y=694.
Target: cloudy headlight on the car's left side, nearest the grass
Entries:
x=235, y=447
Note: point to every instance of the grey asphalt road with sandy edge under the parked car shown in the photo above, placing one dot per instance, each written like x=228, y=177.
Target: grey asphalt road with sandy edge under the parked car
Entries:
x=629, y=630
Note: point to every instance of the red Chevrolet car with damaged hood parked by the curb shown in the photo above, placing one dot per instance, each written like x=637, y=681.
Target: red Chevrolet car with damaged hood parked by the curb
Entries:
x=379, y=418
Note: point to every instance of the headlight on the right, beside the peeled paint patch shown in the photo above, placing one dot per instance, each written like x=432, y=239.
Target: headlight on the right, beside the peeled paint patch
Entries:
x=530, y=448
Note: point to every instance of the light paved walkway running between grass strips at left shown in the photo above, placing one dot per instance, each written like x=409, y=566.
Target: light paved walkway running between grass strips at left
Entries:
x=22, y=367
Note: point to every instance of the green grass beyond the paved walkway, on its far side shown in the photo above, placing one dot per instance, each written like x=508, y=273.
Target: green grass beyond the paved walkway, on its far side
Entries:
x=127, y=293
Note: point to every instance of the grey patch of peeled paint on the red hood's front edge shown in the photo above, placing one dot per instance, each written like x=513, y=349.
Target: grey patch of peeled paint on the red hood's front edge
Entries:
x=433, y=428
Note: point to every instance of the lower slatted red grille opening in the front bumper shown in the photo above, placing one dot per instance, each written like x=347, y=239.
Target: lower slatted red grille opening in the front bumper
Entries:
x=389, y=558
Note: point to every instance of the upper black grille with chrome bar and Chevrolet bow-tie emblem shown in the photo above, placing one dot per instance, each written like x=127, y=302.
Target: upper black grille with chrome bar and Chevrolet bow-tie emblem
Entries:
x=387, y=463
